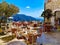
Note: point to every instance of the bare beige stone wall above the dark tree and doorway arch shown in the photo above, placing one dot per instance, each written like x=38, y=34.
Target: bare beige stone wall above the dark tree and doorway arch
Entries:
x=53, y=5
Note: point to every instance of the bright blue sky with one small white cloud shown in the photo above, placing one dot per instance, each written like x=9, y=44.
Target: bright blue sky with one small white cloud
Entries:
x=32, y=8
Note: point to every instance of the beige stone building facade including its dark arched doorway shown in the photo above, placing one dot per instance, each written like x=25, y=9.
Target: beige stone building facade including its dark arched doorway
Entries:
x=54, y=5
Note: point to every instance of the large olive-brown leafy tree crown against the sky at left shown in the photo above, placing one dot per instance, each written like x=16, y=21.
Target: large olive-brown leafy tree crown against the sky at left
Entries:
x=7, y=10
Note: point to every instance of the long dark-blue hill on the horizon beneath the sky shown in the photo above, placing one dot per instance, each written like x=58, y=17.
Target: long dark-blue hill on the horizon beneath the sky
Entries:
x=23, y=17
